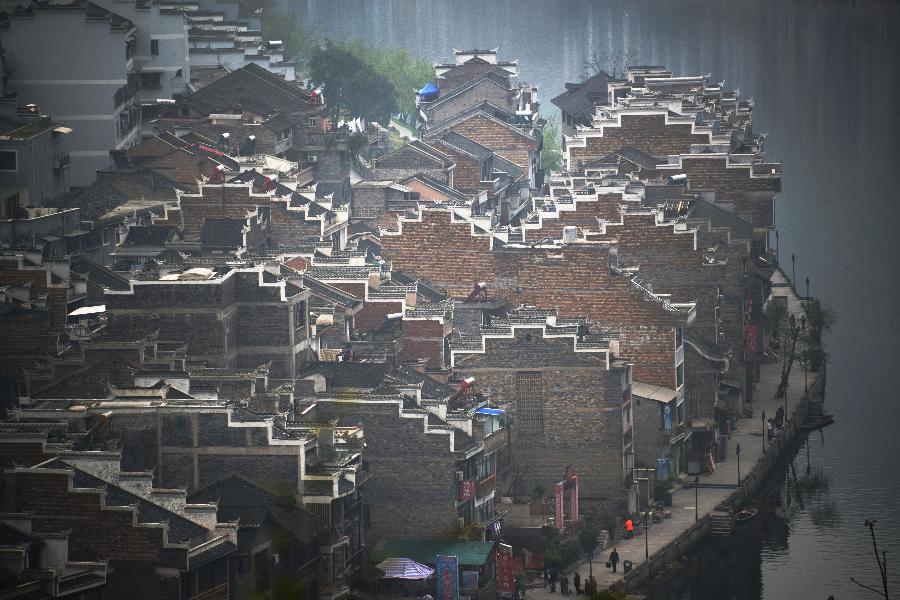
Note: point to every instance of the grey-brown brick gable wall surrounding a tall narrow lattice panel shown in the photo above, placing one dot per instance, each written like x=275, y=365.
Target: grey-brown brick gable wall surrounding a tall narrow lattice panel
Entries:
x=582, y=412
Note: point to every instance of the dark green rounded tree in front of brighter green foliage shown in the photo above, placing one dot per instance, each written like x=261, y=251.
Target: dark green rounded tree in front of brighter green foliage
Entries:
x=351, y=88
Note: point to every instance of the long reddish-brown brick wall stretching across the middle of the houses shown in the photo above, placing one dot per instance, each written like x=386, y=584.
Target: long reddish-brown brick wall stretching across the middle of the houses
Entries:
x=575, y=280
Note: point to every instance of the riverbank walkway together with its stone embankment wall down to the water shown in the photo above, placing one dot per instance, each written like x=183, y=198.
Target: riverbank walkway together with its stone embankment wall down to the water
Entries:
x=690, y=521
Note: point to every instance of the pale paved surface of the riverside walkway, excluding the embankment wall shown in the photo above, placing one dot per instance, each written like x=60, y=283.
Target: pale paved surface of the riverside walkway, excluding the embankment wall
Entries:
x=748, y=434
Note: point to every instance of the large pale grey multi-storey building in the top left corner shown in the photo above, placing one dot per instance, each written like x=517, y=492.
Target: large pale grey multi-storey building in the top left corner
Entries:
x=94, y=90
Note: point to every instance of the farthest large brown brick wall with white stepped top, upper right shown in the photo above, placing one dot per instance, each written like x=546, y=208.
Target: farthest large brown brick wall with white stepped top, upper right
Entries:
x=644, y=132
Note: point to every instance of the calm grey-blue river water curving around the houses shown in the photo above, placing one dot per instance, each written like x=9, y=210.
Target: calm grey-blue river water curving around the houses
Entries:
x=825, y=77
